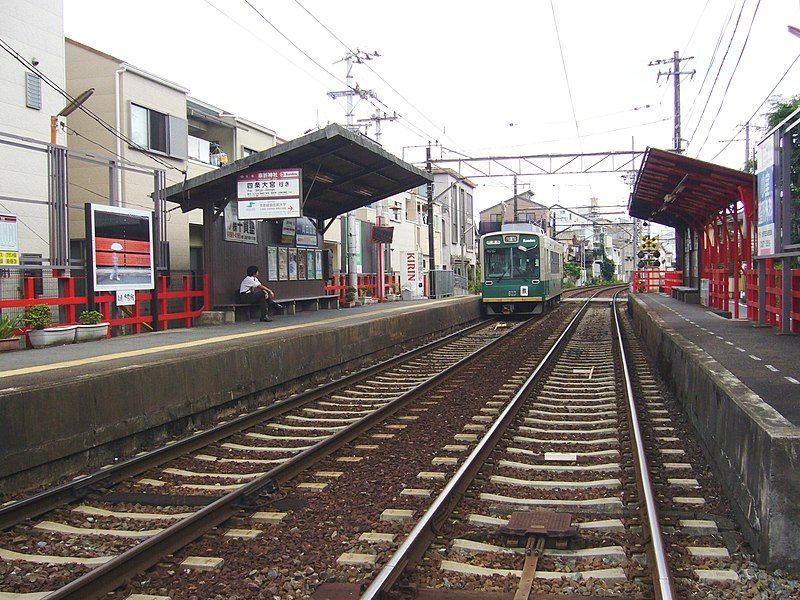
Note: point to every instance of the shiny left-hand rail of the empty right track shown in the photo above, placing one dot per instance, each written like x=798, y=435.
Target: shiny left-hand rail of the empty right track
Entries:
x=425, y=530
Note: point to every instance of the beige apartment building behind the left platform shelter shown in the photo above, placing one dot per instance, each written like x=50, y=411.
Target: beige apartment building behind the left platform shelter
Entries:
x=166, y=129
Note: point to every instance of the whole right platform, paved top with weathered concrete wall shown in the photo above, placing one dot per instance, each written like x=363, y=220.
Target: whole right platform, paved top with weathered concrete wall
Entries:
x=739, y=385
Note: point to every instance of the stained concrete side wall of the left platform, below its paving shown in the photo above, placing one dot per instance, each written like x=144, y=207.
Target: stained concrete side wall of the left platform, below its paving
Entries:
x=53, y=430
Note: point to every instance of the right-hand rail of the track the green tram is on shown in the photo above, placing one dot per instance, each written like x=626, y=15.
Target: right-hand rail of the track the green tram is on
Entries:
x=110, y=575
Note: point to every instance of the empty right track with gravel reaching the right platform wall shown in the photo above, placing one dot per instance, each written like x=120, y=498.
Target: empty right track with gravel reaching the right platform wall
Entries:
x=568, y=496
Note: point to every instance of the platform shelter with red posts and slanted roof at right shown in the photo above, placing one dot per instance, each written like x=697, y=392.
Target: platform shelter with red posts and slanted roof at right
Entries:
x=712, y=210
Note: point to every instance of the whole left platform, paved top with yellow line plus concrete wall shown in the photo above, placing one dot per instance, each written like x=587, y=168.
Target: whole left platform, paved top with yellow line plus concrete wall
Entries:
x=72, y=408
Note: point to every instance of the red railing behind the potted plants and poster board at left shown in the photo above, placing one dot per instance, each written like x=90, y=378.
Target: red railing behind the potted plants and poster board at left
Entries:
x=104, y=302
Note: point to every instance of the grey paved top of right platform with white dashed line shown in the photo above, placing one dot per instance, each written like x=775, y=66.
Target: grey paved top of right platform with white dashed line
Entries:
x=767, y=363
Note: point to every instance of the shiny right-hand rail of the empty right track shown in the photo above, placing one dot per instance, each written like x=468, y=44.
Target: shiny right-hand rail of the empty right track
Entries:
x=662, y=580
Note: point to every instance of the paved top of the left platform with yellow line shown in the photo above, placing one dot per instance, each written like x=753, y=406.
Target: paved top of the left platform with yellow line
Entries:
x=32, y=367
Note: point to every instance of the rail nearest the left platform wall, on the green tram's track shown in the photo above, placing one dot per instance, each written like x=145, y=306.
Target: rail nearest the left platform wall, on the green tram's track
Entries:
x=72, y=491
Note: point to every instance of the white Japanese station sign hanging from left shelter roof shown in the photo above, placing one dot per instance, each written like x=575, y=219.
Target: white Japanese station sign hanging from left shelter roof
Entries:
x=270, y=194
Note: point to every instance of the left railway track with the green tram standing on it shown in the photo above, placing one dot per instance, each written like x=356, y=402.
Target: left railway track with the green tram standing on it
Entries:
x=124, y=518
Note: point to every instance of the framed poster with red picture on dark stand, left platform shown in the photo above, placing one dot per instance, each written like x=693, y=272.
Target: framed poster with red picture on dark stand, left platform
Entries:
x=122, y=248
